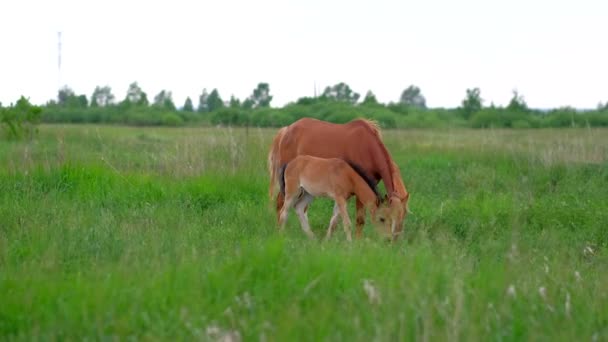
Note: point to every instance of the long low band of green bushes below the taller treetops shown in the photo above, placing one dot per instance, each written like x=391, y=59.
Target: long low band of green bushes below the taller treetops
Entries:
x=388, y=116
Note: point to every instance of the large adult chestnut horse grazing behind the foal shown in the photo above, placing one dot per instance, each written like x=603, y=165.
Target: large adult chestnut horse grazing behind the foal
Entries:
x=358, y=141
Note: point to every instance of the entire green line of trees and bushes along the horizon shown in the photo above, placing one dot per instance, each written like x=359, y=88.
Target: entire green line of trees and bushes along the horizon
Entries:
x=337, y=103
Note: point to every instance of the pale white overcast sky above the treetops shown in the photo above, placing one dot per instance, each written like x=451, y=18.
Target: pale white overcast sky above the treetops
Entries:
x=552, y=52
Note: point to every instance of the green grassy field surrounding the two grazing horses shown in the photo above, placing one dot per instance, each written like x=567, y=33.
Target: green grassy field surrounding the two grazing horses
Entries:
x=160, y=233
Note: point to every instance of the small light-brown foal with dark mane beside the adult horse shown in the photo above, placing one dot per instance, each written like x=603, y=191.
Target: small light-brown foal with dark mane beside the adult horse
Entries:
x=306, y=177
